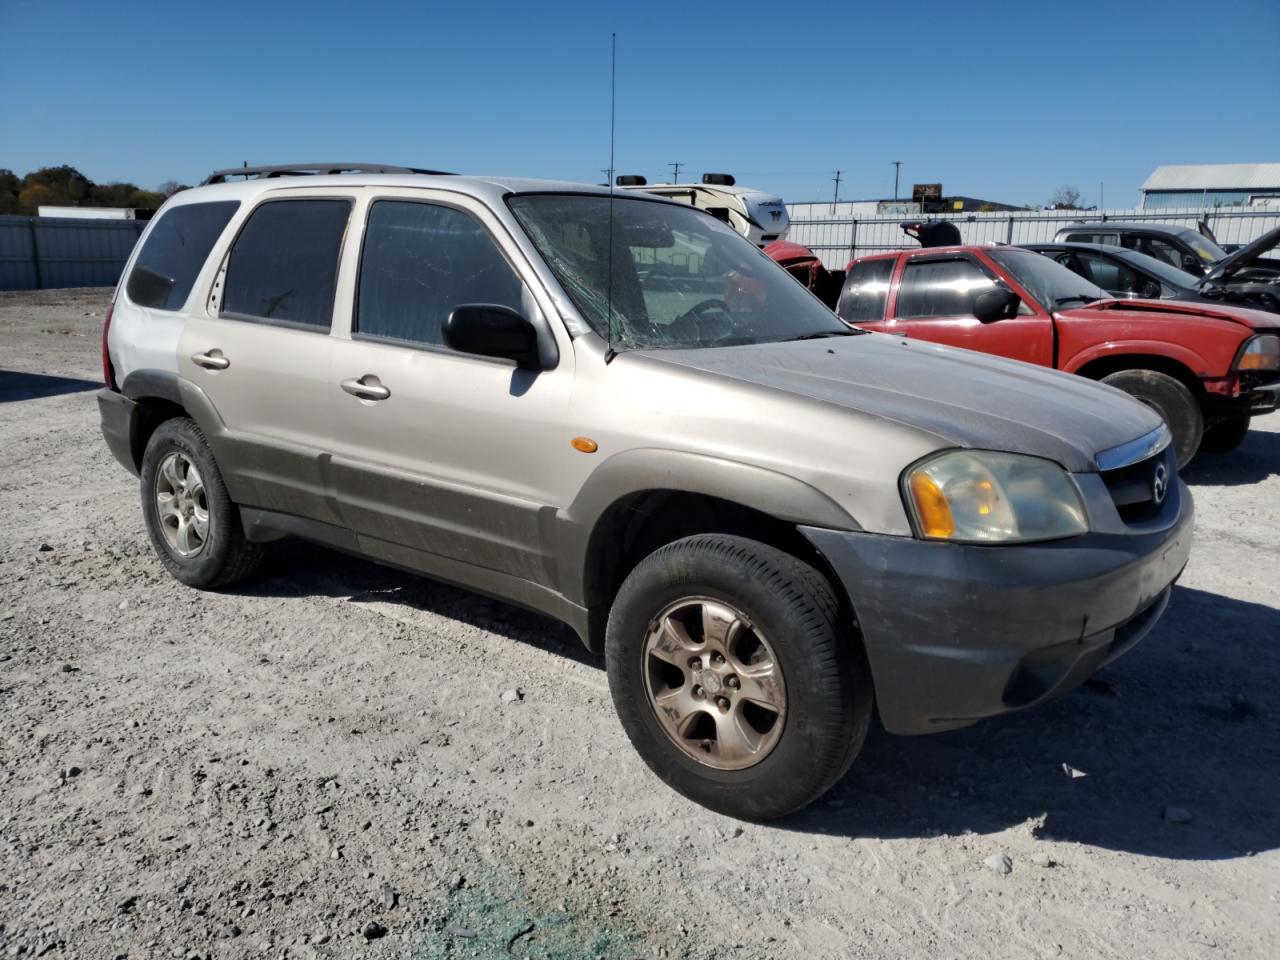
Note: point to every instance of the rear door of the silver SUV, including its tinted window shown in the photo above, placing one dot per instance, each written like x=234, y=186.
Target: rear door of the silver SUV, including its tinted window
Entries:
x=259, y=350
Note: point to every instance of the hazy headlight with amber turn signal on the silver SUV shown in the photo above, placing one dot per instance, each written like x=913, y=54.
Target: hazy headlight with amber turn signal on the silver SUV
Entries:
x=988, y=497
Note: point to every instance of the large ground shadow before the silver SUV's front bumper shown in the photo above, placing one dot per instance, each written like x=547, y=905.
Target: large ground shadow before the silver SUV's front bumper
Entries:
x=1186, y=720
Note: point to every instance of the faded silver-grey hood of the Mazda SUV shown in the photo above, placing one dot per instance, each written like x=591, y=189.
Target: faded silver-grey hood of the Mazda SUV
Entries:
x=961, y=397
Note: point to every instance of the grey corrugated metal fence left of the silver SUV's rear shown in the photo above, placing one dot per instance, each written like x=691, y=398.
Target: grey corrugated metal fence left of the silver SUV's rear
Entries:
x=40, y=253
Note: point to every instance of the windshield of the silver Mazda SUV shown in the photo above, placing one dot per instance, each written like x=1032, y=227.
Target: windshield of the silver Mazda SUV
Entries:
x=679, y=277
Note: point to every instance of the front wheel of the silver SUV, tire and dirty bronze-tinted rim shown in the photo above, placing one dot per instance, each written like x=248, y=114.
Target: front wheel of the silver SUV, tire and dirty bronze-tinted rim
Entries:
x=785, y=607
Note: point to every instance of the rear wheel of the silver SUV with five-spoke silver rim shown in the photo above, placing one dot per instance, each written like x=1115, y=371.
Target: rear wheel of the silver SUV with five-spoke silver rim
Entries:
x=221, y=555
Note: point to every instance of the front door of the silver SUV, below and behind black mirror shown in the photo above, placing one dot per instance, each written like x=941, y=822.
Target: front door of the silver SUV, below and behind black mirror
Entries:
x=442, y=461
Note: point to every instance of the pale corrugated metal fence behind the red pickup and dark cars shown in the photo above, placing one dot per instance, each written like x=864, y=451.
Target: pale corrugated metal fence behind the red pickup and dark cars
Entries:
x=839, y=237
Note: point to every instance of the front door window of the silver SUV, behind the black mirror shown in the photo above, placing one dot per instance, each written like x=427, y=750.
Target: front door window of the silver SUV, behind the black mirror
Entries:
x=419, y=263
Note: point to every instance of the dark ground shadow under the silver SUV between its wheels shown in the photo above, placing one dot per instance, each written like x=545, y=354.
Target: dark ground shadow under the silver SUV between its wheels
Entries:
x=300, y=569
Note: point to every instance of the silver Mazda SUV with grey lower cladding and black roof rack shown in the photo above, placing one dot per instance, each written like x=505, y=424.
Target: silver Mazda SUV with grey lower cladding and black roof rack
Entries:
x=615, y=410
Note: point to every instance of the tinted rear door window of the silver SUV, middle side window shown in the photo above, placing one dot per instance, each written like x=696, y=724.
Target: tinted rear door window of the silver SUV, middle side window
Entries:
x=285, y=264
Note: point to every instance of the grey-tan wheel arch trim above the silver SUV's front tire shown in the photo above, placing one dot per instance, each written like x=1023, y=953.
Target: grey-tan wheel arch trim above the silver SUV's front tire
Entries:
x=655, y=469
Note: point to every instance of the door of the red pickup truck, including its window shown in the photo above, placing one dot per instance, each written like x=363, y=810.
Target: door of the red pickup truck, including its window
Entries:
x=934, y=301
